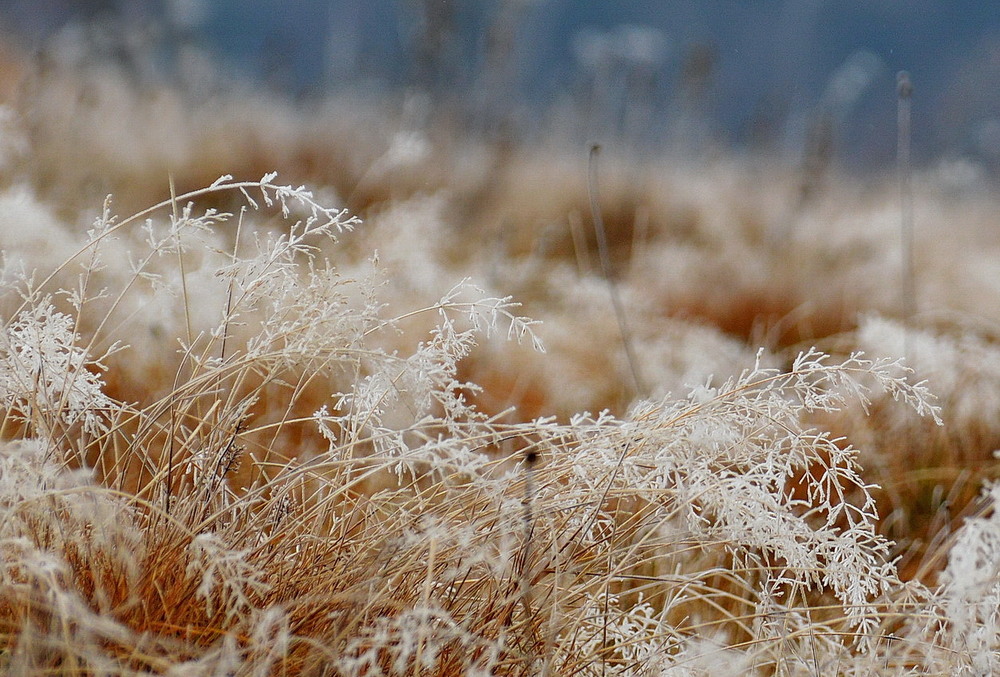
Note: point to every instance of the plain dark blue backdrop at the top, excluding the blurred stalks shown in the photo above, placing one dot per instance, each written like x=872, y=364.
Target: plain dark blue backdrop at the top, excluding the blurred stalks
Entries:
x=775, y=60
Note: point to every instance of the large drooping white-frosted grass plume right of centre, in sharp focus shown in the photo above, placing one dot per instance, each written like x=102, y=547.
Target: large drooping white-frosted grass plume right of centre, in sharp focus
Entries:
x=734, y=467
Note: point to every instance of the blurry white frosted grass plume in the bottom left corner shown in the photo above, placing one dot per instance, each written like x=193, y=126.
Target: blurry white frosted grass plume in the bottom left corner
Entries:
x=55, y=524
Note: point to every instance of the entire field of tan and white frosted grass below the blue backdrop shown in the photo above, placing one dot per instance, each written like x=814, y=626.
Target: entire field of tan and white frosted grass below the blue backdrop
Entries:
x=247, y=432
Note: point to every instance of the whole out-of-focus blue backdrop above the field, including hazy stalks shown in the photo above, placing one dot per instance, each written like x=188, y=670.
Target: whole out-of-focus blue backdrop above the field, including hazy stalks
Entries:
x=773, y=77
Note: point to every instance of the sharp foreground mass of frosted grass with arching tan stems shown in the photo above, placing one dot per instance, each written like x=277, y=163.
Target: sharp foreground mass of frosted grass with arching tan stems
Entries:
x=311, y=489
